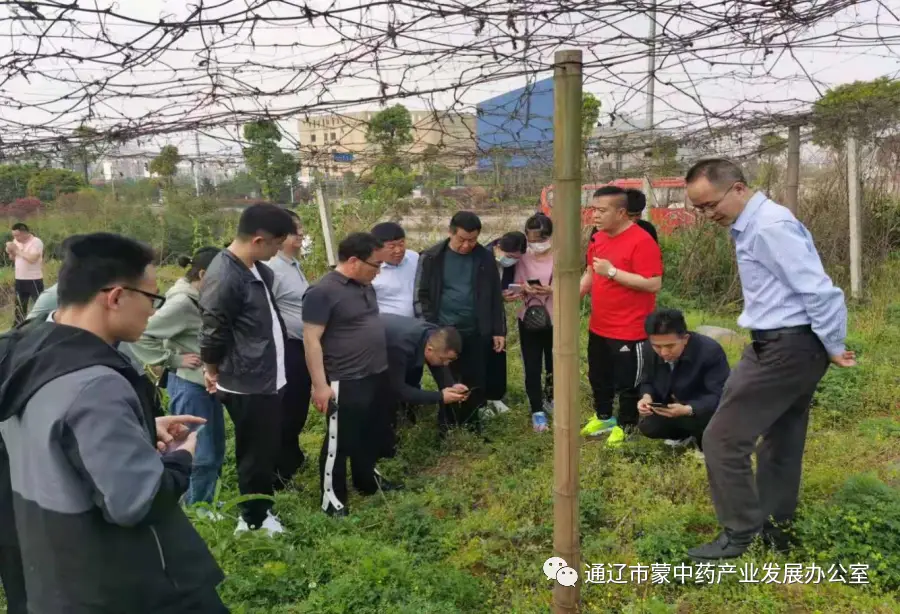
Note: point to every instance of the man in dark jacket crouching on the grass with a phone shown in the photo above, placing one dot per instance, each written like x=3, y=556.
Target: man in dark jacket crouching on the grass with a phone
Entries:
x=683, y=383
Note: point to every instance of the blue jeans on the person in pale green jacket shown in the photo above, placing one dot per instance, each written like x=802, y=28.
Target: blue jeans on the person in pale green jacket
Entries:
x=188, y=398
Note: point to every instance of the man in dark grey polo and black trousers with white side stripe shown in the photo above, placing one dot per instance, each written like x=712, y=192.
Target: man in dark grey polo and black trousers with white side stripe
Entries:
x=346, y=353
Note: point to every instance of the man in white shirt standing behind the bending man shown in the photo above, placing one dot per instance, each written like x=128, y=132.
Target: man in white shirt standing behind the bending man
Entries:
x=396, y=283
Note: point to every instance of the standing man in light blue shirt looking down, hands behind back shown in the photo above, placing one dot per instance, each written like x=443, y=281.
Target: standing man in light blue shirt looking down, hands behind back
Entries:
x=798, y=322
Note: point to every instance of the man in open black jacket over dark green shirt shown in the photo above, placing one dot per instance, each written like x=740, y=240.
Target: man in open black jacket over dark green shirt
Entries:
x=457, y=284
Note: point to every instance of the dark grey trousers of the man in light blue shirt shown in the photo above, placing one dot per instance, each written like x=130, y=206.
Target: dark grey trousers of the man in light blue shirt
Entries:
x=768, y=393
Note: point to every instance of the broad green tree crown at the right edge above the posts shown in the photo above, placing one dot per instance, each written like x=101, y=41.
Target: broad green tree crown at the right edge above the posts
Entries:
x=864, y=108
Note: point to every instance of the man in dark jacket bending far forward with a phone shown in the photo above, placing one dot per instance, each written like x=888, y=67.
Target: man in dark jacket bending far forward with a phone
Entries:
x=411, y=344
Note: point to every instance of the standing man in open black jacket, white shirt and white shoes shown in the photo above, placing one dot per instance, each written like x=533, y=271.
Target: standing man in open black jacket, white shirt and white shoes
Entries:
x=242, y=341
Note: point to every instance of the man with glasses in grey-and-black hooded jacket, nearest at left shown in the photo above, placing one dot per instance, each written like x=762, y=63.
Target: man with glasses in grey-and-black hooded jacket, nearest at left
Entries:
x=110, y=534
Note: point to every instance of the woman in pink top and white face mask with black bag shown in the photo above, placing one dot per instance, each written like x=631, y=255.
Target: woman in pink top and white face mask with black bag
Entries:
x=534, y=273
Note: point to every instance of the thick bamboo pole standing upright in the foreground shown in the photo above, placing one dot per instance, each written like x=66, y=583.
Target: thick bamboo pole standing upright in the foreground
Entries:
x=567, y=269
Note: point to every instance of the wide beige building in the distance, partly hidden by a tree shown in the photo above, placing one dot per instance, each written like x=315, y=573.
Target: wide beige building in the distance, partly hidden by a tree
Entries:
x=335, y=143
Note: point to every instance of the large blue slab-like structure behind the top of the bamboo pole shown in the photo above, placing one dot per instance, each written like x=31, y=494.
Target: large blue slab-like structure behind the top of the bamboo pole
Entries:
x=515, y=129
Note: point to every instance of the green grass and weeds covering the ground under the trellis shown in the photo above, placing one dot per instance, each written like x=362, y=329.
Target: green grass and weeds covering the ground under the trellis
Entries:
x=475, y=524
